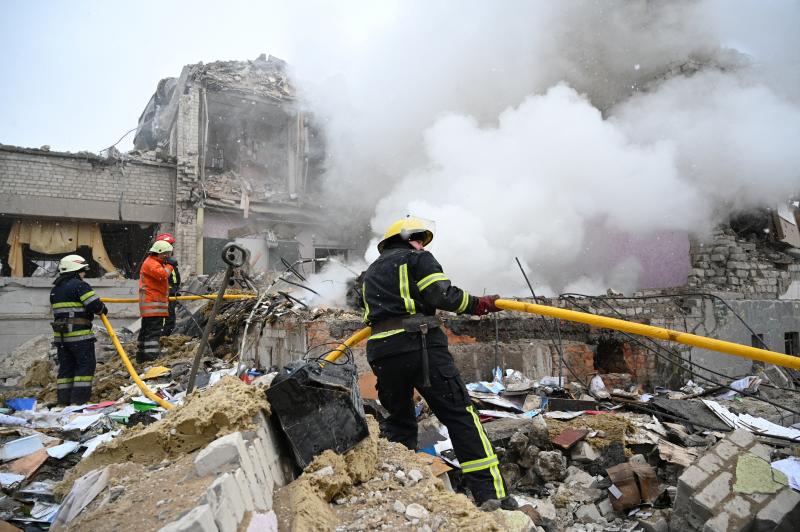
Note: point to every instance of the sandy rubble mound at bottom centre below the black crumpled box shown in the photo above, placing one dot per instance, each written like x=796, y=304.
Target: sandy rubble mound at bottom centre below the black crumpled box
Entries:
x=365, y=488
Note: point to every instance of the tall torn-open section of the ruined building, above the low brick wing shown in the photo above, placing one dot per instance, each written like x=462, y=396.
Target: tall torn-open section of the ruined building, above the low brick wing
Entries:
x=248, y=162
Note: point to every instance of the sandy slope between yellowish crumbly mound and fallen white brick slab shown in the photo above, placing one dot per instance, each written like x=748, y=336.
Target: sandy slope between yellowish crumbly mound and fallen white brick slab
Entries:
x=140, y=497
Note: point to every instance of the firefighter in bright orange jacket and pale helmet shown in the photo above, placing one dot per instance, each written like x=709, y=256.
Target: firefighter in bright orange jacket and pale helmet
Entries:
x=153, y=300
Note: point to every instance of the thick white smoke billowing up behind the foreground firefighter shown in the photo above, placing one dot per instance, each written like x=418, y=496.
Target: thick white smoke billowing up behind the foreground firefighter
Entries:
x=586, y=138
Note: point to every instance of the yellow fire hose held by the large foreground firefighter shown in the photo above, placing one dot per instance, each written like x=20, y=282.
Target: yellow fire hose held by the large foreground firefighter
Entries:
x=728, y=348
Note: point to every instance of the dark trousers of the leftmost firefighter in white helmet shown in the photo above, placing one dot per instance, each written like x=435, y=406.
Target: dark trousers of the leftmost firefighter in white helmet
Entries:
x=76, y=365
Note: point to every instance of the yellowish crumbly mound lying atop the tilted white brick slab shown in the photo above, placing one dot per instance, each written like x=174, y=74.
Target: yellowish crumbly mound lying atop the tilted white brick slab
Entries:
x=228, y=406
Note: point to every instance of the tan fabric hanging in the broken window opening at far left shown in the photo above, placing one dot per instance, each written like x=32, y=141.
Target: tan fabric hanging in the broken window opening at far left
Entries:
x=53, y=238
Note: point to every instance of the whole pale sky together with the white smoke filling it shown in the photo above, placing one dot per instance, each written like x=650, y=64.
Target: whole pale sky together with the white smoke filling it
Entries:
x=585, y=137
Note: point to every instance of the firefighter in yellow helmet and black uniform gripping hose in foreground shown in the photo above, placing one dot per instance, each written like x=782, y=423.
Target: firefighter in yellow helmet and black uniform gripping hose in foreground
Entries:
x=408, y=349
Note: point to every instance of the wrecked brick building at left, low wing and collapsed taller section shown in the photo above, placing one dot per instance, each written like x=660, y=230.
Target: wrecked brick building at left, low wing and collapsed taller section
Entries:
x=223, y=152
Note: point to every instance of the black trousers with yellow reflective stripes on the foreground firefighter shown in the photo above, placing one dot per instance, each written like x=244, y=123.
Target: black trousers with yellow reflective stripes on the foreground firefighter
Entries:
x=398, y=376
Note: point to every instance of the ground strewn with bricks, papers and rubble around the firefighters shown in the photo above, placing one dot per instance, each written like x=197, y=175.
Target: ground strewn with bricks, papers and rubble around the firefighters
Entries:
x=604, y=460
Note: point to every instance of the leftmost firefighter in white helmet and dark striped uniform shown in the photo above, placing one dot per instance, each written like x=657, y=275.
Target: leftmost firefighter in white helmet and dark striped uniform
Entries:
x=74, y=305
